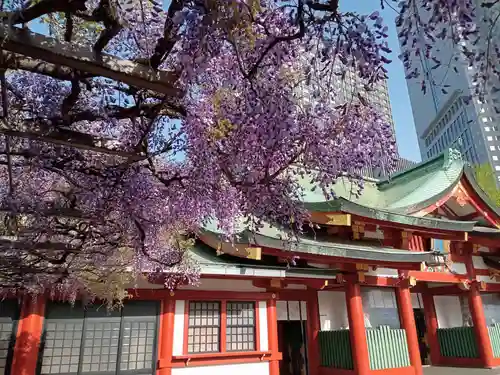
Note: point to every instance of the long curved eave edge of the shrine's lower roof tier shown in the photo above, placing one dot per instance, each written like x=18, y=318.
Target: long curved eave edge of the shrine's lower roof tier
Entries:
x=331, y=249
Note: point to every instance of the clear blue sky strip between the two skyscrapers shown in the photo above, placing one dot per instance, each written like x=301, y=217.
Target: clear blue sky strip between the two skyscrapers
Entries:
x=398, y=92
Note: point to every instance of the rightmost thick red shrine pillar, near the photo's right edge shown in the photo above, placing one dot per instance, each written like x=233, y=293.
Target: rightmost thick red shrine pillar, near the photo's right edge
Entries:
x=480, y=328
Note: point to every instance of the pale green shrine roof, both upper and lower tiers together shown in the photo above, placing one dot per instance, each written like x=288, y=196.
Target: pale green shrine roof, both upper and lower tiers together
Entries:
x=393, y=199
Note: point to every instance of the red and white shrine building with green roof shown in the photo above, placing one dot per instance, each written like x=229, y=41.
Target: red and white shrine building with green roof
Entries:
x=405, y=275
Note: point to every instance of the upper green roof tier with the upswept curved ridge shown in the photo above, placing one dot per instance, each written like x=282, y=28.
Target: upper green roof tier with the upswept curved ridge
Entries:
x=399, y=196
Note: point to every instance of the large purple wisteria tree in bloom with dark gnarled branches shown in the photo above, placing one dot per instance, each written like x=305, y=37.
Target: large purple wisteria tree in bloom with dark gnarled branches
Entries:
x=130, y=124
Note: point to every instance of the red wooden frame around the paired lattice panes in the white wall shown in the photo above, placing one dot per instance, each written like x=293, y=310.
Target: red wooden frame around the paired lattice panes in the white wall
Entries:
x=223, y=349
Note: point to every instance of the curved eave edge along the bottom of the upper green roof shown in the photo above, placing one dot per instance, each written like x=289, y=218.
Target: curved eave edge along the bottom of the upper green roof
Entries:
x=346, y=206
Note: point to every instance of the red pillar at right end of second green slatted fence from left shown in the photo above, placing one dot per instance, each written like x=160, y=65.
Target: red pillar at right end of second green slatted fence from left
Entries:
x=408, y=324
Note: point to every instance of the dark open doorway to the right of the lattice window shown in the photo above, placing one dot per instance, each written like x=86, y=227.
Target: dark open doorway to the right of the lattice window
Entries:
x=292, y=344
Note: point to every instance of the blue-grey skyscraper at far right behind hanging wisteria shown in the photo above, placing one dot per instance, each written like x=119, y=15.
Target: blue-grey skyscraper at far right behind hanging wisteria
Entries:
x=446, y=115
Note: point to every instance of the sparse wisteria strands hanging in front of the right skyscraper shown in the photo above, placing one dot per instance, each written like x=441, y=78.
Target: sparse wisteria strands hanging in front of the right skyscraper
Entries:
x=470, y=27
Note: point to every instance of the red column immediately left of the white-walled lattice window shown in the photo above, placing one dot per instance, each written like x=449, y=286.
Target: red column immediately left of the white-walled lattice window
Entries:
x=166, y=337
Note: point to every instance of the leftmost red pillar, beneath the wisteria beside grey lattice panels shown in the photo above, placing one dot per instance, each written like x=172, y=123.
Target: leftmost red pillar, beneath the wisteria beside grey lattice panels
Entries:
x=29, y=334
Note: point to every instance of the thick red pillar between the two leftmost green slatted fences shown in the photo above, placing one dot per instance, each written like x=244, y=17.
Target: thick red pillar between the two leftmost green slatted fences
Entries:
x=357, y=332
